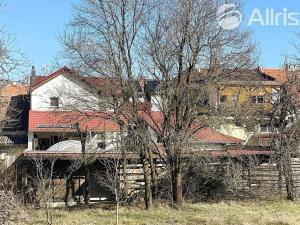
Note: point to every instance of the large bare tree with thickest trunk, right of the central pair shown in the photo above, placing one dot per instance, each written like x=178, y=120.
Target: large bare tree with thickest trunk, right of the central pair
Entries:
x=187, y=52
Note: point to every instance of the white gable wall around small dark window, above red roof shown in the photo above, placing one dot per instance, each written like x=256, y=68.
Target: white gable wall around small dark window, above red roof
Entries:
x=72, y=95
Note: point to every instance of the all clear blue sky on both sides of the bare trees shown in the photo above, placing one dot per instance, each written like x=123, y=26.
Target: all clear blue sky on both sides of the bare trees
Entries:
x=35, y=24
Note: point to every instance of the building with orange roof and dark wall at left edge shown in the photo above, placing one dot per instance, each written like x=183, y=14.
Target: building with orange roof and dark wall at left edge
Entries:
x=14, y=100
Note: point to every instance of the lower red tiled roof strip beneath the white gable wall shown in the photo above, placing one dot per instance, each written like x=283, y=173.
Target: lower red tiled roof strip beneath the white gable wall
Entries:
x=63, y=121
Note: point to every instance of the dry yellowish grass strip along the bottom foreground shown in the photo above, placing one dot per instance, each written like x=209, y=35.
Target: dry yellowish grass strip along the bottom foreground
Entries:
x=224, y=213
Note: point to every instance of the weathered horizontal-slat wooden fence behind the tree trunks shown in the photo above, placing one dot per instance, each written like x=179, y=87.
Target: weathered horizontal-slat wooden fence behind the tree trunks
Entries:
x=263, y=180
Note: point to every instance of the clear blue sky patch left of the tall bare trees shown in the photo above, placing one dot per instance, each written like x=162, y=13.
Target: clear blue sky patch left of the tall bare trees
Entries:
x=35, y=24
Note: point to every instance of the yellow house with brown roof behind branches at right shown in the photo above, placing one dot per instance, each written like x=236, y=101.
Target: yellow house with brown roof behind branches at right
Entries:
x=248, y=94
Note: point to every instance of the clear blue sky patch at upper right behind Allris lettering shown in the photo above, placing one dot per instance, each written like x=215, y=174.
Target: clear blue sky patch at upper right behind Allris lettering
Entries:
x=274, y=42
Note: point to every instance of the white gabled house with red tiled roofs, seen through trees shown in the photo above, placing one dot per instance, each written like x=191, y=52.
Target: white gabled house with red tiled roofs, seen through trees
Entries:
x=63, y=104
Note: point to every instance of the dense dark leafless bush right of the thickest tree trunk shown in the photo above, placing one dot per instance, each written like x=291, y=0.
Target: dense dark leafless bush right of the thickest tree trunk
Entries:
x=207, y=179
